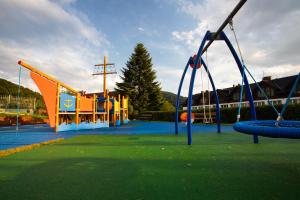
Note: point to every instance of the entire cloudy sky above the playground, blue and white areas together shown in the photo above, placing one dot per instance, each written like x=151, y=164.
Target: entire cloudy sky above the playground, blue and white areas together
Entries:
x=65, y=38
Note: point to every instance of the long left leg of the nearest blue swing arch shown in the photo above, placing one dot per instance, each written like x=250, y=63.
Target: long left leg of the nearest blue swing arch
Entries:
x=191, y=87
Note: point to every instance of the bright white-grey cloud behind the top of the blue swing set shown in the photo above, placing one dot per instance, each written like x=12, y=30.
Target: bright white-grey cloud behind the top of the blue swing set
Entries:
x=267, y=33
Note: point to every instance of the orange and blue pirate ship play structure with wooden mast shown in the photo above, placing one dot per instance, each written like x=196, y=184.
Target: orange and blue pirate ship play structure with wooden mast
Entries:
x=69, y=109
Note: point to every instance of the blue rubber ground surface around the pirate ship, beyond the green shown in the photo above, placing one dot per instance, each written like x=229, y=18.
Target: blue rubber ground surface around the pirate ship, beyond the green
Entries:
x=30, y=134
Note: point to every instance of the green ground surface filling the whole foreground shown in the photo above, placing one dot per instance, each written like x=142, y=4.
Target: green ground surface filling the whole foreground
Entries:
x=217, y=166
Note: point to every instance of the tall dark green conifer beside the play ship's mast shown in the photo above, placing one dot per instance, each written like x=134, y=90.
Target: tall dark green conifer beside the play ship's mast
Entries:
x=139, y=81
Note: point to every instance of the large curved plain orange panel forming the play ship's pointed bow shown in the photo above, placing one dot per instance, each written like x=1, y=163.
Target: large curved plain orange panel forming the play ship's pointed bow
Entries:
x=48, y=89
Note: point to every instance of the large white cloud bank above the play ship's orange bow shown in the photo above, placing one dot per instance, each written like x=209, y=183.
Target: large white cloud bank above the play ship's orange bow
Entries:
x=63, y=44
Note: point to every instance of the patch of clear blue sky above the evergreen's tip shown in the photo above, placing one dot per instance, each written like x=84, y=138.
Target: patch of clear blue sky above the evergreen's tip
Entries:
x=127, y=22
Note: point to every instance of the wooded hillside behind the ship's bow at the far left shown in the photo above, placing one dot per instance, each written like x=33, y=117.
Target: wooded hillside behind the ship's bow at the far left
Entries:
x=9, y=88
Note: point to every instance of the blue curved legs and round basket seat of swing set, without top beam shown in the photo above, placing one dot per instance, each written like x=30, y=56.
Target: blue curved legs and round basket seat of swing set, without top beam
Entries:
x=266, y=128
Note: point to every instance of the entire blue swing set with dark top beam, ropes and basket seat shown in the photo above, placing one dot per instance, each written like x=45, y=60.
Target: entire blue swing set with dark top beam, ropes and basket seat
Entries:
x=269, y=128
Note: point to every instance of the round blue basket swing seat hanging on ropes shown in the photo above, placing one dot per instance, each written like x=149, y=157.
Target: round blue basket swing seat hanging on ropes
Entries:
x=268, y=128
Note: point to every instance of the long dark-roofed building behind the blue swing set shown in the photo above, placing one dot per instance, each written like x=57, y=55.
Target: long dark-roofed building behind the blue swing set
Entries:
x=277, y=91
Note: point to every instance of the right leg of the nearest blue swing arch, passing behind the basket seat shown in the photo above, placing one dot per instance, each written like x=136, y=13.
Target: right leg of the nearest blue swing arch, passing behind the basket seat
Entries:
x=248, y=89
